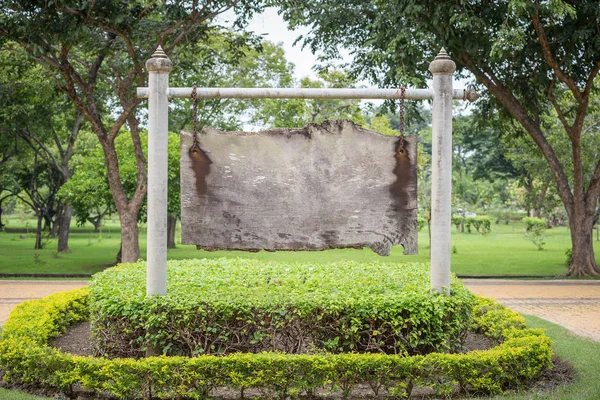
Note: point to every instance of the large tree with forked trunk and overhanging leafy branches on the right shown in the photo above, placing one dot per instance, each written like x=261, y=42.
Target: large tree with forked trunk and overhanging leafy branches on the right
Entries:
x=538, y=60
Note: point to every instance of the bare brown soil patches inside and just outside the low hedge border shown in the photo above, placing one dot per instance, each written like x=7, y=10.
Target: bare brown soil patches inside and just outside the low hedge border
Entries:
x=77, y=341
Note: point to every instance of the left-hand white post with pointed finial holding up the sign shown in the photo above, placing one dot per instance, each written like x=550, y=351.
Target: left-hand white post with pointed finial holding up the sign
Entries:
x=158, y=67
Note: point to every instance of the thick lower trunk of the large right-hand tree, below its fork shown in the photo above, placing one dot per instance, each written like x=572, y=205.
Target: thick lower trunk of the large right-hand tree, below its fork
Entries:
x=583, y=262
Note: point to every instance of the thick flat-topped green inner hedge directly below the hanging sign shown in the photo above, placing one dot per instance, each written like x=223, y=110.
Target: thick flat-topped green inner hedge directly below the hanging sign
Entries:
x=222, y=306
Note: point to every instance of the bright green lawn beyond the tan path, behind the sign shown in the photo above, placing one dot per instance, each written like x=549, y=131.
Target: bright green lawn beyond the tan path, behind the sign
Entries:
x=504, y=251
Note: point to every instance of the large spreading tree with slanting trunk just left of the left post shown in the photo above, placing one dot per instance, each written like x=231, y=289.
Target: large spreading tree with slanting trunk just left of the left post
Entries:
x=96, y=51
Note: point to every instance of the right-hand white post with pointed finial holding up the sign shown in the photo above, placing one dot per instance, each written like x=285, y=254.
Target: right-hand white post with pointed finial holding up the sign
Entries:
x=441, y=172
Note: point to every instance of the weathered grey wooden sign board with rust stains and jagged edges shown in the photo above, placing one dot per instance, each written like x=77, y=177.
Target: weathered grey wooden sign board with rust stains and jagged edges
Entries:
x=325, y=186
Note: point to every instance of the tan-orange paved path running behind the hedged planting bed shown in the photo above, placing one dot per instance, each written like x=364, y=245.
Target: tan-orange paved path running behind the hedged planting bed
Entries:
x=572, y=304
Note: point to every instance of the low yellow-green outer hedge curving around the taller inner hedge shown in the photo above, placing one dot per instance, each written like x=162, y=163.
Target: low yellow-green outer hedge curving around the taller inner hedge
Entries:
x=26, y=357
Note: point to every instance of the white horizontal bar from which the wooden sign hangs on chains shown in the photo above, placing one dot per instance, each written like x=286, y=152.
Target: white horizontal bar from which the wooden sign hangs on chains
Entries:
x=304, y=93
